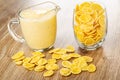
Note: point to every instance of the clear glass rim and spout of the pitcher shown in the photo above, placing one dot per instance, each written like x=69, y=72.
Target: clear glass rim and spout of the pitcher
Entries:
x=56, y=7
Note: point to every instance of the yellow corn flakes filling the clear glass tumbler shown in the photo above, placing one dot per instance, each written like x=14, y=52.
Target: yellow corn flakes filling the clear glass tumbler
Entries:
x=89, y=23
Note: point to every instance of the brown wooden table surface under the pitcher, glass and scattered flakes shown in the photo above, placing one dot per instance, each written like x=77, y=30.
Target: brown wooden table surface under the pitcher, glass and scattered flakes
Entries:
x=106, y=58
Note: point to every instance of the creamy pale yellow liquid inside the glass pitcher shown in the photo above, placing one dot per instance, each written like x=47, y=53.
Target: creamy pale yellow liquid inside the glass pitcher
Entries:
x=38, y=28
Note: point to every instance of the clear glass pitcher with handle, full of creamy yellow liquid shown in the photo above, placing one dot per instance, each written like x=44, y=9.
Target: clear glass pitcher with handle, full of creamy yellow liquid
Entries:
x=38, y=25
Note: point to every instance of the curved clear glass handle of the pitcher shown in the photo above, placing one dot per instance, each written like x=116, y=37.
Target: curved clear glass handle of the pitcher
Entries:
x=12, y=33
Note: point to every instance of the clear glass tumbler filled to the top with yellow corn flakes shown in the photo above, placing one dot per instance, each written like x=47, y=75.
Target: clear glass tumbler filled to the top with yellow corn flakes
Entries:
x=89, y=37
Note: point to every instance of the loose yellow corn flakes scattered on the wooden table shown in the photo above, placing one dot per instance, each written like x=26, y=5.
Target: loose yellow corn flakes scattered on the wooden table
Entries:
x=72, y=63
